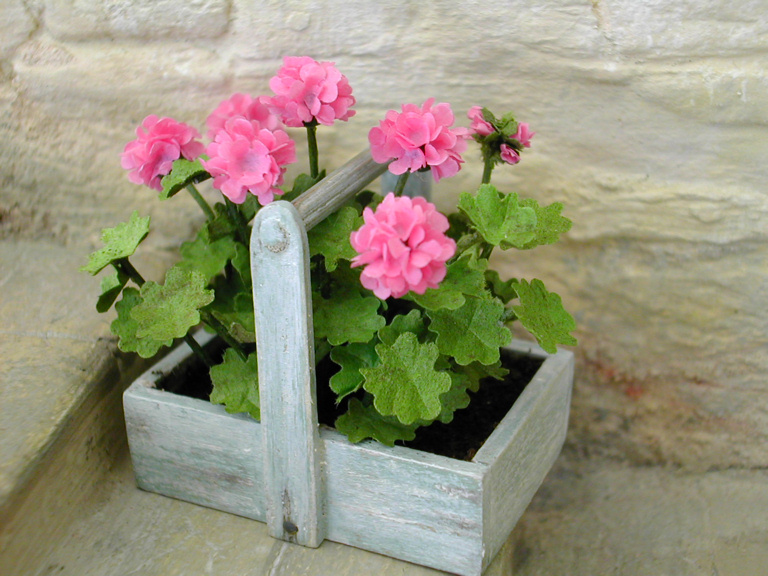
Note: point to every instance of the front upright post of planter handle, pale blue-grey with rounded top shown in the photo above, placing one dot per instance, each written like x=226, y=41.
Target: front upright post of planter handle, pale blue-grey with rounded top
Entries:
x=283, y=304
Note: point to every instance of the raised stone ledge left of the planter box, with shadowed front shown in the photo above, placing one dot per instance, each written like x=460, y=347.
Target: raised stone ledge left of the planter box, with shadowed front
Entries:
x=60, y=411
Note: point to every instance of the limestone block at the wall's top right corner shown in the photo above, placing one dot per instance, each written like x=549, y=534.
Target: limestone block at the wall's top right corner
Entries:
x=677, y=29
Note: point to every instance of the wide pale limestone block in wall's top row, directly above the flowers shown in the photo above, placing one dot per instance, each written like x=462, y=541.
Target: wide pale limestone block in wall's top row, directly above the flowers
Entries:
x=393, y=52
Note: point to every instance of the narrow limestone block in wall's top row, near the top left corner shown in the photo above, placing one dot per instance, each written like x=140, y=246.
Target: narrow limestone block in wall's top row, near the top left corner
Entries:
x=146, y=19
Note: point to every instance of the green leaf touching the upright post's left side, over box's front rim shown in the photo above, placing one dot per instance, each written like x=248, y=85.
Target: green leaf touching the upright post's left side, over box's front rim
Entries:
x=236, y=384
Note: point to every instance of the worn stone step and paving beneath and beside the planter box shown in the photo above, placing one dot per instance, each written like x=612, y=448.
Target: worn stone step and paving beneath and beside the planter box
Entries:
x=69, y=505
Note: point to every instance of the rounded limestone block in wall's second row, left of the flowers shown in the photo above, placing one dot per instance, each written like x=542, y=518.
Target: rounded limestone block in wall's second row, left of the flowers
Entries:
x=104, y=81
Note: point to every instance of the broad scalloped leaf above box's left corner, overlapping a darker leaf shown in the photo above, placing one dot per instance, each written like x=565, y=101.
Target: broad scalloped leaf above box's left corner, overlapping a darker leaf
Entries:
x=169, y=311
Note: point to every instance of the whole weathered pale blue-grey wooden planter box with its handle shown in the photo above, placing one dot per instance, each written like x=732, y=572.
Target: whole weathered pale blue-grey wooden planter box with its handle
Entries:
x=309, y=483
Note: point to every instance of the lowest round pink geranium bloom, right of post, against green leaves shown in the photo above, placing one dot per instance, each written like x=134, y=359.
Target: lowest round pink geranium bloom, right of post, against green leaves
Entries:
x=402, y=246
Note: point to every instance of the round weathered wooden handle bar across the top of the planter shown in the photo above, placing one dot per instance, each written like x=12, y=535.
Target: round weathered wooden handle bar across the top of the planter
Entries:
x=337, y=188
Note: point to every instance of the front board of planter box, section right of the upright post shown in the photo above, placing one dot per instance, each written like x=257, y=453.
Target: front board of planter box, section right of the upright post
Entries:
x=404, y=503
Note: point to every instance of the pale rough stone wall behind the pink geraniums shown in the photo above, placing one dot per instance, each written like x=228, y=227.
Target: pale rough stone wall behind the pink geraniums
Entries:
x=650, y=118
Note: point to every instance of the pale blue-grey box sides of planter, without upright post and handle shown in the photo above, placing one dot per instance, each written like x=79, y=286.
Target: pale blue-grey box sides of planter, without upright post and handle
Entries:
x=431, y=510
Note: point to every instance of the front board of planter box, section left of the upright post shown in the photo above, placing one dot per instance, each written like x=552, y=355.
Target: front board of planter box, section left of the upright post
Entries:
x=194, y=451
